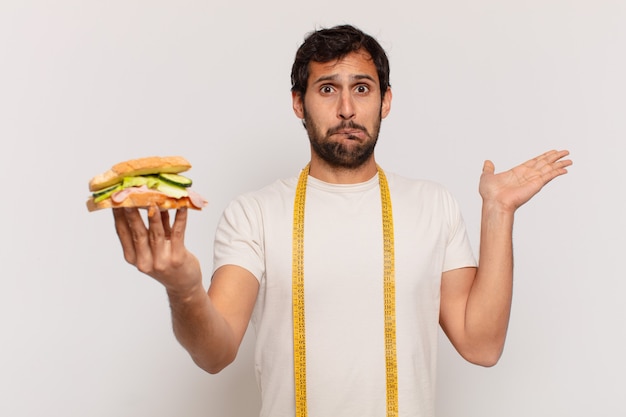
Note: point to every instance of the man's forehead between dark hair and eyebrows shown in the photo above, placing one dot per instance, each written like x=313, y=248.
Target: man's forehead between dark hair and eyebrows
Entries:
x=357, y=64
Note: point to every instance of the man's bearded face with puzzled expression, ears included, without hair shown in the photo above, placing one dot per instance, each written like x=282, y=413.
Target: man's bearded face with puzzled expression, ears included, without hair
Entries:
x=342, y=109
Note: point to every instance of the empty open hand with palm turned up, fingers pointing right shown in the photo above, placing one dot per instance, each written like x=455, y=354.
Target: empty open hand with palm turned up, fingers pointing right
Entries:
x=511, y=189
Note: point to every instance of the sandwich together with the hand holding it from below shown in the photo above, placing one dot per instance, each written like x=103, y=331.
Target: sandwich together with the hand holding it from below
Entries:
x=154, y=183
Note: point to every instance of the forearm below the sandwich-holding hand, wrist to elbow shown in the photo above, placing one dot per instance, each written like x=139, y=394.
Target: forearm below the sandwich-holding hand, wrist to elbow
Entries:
x=201, y=330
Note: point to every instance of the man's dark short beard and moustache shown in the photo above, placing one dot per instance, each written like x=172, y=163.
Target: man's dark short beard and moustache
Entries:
x=340, y=154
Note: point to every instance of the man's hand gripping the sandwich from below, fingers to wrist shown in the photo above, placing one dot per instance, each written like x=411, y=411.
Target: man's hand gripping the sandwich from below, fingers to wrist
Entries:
x=159, y=249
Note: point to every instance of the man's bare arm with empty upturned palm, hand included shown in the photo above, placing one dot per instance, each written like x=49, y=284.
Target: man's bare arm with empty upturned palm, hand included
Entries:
x=476, y=302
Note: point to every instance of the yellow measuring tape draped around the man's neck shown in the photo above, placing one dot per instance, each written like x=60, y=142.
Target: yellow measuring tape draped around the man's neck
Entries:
x=299, y=336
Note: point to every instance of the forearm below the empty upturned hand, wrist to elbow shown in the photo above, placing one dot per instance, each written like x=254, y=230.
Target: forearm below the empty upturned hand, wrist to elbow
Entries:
x=489, y=302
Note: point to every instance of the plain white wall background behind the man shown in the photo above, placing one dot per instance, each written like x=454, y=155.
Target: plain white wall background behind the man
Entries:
x=85, y=84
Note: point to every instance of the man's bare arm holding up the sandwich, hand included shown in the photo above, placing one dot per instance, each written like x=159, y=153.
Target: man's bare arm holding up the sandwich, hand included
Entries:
x=209, y=325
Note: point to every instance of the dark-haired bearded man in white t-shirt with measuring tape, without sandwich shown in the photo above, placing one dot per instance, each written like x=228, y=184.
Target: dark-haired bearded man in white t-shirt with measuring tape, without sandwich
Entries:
x=346, y=271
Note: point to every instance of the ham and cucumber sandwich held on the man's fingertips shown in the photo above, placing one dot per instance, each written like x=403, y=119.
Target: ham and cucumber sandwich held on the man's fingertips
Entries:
x=144, y=183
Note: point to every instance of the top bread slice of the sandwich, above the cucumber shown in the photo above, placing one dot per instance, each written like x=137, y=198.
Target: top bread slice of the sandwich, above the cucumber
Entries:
x=141, y=166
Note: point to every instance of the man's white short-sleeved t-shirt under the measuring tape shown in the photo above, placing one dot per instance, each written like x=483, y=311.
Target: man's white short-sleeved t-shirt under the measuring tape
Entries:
x=343, y=276
